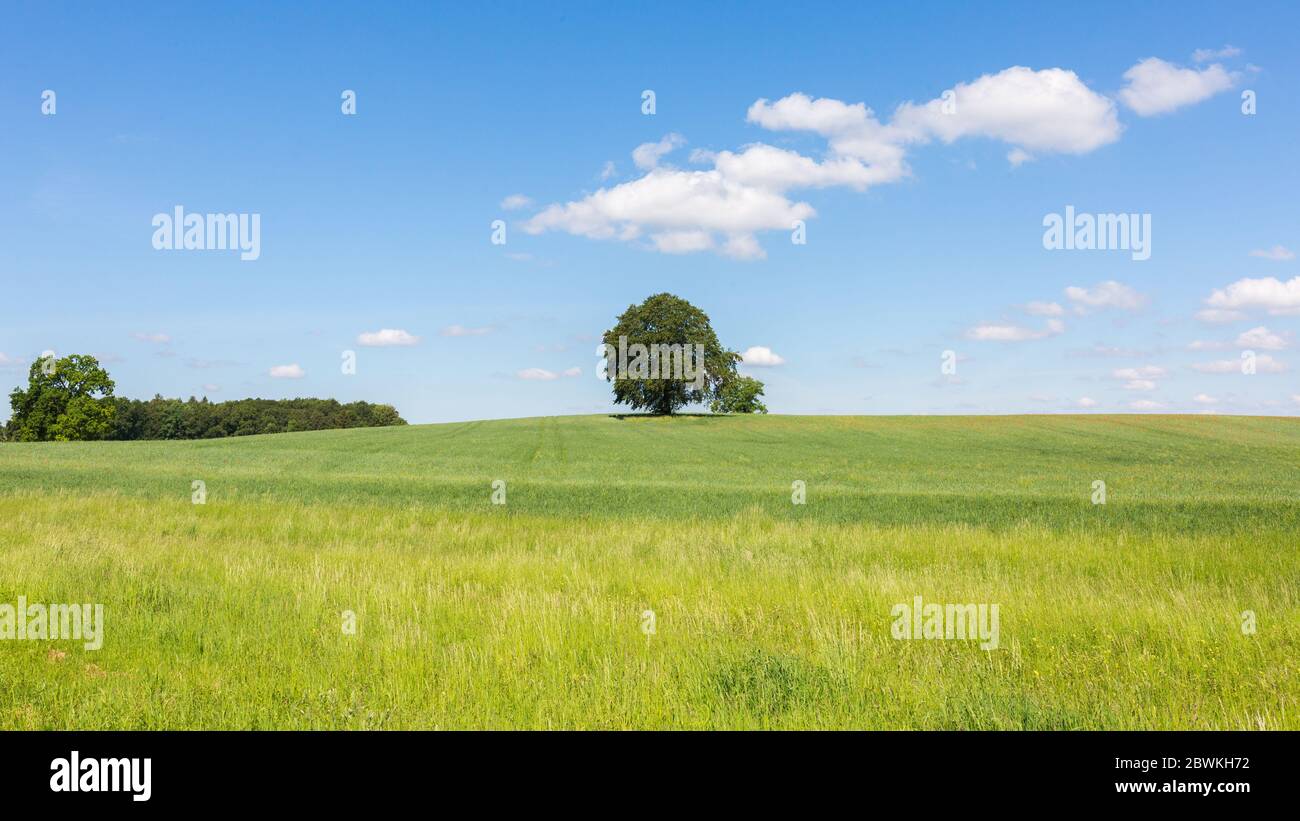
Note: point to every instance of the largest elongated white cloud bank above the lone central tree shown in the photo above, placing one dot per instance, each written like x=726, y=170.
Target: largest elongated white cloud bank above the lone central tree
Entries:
x=746, y=192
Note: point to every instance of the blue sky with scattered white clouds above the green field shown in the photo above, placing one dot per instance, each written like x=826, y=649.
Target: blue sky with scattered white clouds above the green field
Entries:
x=924, y=225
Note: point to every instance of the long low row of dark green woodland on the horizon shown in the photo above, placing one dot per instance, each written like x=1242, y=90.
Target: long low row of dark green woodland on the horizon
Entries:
x=200, y=419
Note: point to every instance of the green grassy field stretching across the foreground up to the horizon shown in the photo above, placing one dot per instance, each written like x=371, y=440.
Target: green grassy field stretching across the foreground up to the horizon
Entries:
x=768, y=614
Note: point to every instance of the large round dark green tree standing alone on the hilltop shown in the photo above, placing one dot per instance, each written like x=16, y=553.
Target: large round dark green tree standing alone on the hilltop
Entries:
x=653, y=357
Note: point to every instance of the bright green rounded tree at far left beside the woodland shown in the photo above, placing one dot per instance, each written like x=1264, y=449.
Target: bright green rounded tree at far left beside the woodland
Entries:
x=68, y=399
